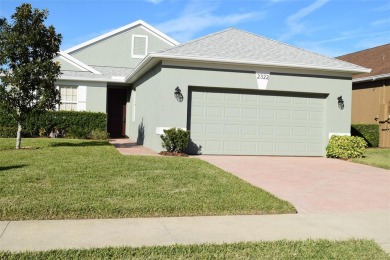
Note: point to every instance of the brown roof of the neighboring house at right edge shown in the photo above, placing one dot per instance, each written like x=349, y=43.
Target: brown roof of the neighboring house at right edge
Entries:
x=377, y=58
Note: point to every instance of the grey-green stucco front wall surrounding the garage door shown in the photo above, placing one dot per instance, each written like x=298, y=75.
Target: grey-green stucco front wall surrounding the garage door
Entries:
x=174, y=114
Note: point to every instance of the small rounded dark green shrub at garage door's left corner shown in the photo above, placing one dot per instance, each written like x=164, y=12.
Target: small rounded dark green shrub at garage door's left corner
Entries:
x=175, y=140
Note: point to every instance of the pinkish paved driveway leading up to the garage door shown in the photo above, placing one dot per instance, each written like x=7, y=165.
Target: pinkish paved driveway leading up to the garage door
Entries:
x=313, y=184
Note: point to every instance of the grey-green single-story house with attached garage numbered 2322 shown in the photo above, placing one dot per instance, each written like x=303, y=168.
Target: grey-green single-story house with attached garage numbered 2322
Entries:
x=238, y=93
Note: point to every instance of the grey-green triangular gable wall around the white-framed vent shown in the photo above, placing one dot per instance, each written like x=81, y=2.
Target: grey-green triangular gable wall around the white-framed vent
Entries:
x=116, y=50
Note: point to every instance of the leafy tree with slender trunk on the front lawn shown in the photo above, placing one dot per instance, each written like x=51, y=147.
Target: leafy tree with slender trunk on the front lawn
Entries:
x=27, y=70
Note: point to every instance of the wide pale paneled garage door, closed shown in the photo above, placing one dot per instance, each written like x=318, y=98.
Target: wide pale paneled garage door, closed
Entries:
x=240, y=123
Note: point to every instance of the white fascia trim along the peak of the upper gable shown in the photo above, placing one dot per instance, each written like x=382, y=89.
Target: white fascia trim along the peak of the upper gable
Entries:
x=120, y=30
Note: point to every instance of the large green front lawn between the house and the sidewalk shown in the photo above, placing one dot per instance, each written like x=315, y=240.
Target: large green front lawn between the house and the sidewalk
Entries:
x=76, y=179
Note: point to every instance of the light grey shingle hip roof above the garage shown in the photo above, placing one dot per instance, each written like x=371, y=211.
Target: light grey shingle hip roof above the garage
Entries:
x=237, y=45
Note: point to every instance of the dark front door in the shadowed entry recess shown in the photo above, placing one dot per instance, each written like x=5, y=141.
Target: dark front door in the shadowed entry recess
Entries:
x=116, y=112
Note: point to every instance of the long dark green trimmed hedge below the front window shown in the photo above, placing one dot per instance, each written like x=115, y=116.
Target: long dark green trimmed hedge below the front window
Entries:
x=71, y=124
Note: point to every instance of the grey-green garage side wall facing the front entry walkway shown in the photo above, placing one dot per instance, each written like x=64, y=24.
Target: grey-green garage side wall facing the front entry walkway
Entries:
x=146, y=93
